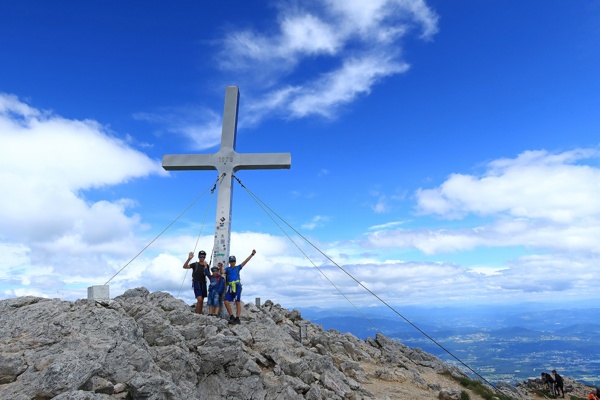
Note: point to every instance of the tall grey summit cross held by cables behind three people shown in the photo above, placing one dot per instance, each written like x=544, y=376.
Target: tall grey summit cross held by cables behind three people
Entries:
x=226, y=161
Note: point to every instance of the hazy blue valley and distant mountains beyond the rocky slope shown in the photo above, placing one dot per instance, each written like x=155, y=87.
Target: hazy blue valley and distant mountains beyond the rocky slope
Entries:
x=501, y=343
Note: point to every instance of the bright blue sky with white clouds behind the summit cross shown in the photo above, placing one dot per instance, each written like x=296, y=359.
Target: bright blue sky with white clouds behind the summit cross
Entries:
x=442, y=152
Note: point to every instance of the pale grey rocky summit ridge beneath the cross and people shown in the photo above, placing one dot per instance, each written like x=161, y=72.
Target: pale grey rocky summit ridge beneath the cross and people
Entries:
x=144, y=345
